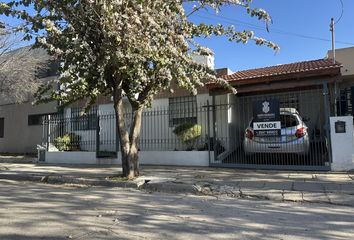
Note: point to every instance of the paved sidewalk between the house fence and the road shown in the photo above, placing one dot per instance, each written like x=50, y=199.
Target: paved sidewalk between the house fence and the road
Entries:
x=319, y=187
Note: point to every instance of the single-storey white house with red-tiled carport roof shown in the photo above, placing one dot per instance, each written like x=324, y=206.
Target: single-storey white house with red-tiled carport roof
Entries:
x=306, y=88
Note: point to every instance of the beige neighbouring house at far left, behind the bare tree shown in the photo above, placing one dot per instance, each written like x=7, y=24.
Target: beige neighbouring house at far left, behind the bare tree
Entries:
x=21, y=124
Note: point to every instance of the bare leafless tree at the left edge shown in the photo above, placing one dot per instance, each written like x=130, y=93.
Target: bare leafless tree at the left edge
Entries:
x=18, y=68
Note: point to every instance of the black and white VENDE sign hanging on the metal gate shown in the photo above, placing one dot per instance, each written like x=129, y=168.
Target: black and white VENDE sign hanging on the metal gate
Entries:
x=266, y=118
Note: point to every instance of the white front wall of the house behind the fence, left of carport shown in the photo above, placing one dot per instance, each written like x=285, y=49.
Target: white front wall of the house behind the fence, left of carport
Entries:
x=97, y=129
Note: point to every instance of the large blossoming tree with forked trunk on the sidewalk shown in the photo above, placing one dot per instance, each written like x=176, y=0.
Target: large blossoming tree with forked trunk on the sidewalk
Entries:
x=125, y=48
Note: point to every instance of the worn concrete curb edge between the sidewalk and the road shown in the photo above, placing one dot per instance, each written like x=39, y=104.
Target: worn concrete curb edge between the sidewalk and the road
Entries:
x=172, y=187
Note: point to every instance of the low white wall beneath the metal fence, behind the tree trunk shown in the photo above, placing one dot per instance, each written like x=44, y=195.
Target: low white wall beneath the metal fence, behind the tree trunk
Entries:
x=173, y=158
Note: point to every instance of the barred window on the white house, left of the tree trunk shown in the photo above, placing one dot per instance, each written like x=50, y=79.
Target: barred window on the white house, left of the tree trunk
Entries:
x=84, y=121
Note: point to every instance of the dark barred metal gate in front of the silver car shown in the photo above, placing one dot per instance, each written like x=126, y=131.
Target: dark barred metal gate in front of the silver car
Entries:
x=303, y=143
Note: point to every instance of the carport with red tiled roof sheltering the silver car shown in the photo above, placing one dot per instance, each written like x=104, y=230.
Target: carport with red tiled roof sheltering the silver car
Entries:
x=306, y=89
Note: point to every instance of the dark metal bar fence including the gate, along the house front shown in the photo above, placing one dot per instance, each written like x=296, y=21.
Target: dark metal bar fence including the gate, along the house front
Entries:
x=224, y=128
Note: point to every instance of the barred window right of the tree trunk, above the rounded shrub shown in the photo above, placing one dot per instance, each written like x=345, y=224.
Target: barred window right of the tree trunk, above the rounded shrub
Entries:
x=182, y=110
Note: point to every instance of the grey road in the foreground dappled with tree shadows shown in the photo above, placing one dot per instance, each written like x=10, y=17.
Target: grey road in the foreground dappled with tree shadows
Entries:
x=39, y=211
